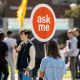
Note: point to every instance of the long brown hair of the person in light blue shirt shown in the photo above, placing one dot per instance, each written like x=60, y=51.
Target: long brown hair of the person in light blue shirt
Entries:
x=53, y=49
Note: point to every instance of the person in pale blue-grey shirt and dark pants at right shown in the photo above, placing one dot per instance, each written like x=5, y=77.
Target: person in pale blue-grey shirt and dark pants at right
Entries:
x=72, y=52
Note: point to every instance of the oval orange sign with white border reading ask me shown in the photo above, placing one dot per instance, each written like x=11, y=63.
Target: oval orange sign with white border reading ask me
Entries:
x=43, y=22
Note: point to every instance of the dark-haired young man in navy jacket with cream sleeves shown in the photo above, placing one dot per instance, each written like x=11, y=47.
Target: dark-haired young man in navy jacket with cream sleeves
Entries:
x=26, y=56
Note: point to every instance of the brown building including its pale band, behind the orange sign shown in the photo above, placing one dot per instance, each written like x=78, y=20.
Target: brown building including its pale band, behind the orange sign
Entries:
x=59, y=7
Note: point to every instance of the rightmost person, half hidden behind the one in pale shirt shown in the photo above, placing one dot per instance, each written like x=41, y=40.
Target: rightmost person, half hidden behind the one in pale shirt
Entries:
x=77, y=34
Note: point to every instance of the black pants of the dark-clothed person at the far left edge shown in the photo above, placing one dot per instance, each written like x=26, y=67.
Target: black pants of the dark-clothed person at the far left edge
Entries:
x=4, y=70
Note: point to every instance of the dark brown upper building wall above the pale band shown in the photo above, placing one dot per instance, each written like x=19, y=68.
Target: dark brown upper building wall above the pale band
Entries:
x=59, y=6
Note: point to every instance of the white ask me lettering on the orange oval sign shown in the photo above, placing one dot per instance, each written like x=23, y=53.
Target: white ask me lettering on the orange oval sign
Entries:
x=43, y=23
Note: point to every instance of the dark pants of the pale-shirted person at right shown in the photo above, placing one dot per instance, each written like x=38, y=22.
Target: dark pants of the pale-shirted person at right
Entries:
x=73, y=67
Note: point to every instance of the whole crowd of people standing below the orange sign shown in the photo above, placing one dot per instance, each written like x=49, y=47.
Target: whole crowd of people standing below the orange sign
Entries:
x=28, y=56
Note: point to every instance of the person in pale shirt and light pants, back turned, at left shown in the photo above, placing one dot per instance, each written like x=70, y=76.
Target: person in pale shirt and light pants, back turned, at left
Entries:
x=11, y=42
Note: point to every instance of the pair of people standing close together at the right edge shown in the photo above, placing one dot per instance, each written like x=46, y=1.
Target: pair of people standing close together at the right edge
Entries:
x=72, y=52
